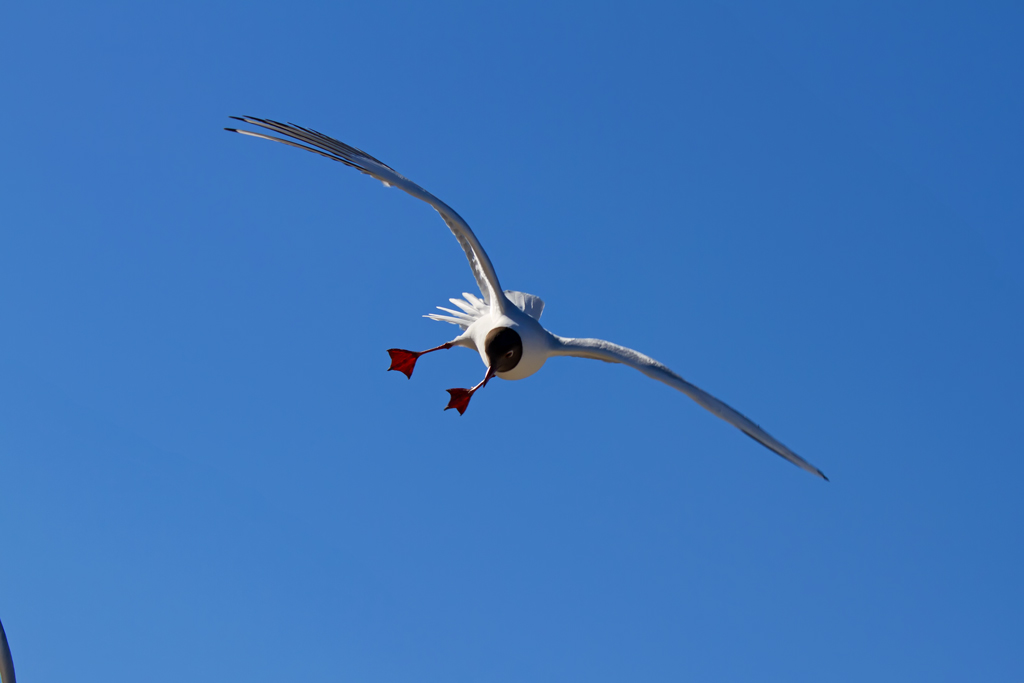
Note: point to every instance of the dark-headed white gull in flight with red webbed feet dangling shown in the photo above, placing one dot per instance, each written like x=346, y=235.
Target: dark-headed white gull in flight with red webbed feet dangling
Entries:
x=503, y=326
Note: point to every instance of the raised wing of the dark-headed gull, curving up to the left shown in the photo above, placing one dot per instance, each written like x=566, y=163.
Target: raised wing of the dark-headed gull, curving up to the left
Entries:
x=311, y=141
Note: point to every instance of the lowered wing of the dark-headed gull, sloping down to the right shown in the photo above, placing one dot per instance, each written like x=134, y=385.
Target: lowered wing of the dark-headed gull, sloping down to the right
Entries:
x=603, y=351
